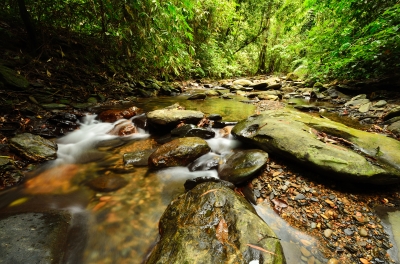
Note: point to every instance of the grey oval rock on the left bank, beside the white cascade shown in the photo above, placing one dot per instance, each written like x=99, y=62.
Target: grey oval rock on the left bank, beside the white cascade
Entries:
x=34, y=148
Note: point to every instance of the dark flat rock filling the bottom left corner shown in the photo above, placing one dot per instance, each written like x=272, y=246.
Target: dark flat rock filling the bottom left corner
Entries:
x=35, y=237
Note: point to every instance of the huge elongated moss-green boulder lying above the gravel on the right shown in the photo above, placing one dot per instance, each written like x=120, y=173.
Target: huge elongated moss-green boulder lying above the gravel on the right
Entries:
x=293, y=135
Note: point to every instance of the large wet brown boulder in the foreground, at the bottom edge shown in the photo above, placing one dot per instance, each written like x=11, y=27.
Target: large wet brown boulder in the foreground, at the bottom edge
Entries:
x=211, y=224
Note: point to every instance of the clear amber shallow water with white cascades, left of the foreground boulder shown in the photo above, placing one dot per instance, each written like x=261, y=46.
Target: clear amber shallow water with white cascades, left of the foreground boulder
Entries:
x=120, y=226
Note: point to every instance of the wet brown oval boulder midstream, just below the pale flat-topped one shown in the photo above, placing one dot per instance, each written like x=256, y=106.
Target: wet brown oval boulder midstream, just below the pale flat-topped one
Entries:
x=179, y=152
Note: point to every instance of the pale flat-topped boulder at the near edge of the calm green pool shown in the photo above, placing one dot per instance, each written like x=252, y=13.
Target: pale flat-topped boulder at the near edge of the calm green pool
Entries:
x=170, y=118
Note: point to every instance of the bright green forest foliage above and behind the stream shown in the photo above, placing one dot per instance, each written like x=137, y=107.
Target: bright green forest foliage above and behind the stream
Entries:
x=333, y=39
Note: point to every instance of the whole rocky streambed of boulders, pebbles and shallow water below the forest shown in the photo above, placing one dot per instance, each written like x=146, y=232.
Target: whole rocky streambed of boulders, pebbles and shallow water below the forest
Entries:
x=322, y=177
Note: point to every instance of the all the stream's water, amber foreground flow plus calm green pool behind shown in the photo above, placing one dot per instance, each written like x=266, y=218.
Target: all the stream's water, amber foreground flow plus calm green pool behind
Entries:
x=121, y=225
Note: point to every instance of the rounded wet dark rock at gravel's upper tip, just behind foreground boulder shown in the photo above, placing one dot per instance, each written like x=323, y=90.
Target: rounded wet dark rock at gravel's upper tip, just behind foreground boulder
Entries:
x=242, y=165
